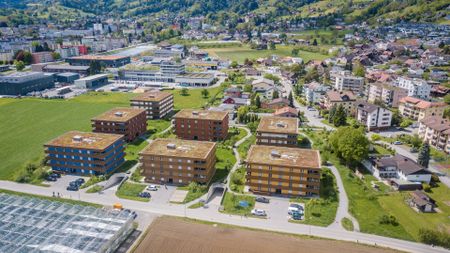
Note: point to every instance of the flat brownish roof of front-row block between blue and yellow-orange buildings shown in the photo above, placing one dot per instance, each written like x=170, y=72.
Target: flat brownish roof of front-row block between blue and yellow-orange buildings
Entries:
x=179, y=148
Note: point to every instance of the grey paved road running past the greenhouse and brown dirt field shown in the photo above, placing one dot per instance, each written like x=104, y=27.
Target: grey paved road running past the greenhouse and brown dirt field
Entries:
x=210, y=214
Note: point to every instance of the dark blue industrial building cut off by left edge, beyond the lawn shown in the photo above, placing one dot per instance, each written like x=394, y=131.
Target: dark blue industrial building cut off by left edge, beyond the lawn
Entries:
x=21, y=83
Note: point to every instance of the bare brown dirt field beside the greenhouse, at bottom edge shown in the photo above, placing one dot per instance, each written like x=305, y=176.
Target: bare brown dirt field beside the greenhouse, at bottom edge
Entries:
x=172, y=235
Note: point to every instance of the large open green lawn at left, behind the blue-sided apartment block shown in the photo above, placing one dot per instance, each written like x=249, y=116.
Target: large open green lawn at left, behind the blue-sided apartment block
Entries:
x=26, y=124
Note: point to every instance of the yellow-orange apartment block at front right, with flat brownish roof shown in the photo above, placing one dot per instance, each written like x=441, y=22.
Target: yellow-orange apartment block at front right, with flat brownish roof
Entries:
x=283, y=171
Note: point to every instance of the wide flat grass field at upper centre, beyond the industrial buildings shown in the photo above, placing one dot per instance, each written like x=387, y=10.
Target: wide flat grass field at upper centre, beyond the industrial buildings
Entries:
x=239, y=54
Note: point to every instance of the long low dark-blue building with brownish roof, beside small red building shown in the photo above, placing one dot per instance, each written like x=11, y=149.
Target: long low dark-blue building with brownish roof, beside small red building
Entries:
x=108, y=61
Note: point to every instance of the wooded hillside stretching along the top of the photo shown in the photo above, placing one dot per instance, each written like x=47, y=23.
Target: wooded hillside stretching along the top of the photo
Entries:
x=350, y=10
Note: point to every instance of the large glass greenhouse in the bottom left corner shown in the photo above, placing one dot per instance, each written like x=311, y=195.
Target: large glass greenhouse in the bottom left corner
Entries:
x=36, y=225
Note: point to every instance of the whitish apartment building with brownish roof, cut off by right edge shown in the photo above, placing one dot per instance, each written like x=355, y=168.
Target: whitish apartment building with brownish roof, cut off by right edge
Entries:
x=436, y=131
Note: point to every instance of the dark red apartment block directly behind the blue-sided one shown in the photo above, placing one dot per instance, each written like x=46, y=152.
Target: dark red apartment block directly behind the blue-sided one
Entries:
x=130, y=122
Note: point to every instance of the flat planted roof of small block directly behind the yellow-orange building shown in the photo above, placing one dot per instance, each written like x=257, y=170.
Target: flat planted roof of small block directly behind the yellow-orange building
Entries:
x=273, y=124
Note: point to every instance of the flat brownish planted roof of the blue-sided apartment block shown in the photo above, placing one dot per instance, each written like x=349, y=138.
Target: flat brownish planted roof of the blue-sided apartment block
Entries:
x=84, y=140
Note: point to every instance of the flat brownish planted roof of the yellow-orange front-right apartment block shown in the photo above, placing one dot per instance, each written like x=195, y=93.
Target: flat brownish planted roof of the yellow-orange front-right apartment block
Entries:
x=285, y=157
